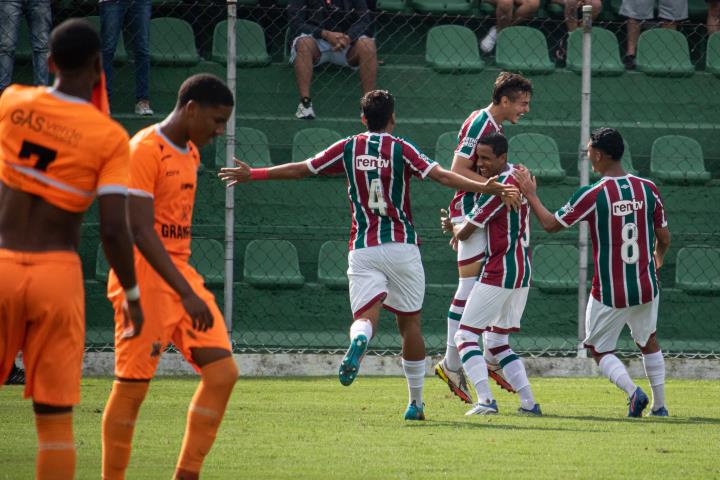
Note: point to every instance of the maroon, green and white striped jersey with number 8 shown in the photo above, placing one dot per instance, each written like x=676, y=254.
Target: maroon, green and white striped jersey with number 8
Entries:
x=623, y=213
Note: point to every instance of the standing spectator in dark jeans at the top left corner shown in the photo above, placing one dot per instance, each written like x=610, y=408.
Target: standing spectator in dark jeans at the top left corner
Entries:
x=38, y=15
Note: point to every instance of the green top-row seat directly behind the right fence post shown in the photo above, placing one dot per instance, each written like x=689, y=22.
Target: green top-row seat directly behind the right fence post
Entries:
x=605, y=52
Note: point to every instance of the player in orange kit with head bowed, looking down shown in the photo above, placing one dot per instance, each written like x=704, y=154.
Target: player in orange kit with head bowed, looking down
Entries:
x=163, y=174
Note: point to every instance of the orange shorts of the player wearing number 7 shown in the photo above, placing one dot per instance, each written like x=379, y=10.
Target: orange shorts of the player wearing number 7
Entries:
x=42, y=313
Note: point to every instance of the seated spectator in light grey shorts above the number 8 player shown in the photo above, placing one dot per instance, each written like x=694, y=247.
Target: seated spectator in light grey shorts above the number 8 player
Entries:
x=636, y=11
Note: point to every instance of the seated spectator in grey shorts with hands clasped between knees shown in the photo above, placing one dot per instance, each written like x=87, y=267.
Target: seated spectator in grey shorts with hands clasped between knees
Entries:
x=335, y=31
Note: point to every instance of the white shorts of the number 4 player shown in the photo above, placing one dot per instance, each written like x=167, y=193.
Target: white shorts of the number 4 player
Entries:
x=393, y=272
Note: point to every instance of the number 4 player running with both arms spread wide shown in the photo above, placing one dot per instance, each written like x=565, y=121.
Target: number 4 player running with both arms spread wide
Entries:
x=385, y=269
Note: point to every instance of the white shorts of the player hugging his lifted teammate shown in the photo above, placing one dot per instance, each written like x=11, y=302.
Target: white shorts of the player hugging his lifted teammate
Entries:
x=495, y=309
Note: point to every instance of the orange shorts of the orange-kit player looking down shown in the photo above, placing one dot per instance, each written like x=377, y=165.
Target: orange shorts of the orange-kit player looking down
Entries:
x=165, y=321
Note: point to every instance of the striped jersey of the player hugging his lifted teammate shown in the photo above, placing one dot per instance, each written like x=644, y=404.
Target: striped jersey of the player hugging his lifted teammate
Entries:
x=507, y=255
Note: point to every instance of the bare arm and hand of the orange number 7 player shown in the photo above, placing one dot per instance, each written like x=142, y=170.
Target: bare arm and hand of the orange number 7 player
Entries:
x=118, y=247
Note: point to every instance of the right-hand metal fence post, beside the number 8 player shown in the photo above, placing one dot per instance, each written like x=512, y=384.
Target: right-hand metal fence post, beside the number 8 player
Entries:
x=583, y=168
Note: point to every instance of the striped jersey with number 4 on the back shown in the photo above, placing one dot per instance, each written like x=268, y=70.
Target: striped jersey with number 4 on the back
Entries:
x=378, y=167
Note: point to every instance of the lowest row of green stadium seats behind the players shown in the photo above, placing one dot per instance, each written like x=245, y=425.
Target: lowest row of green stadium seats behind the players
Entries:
x=275, y=264
